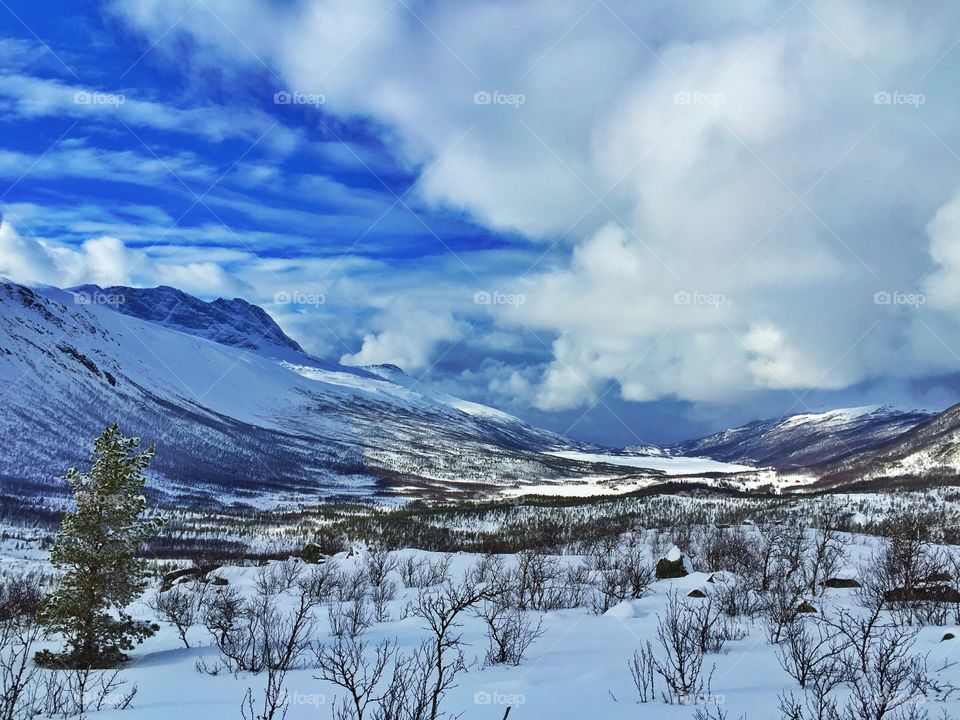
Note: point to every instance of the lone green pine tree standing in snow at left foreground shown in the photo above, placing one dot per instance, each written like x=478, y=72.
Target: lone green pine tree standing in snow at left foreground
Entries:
x=96, y=547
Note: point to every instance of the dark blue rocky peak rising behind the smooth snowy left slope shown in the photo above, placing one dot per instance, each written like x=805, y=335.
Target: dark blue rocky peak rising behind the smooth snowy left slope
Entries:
x=233, y=322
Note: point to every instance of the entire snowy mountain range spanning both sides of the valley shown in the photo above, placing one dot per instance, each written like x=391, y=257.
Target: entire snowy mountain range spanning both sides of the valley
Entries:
x=242, y=415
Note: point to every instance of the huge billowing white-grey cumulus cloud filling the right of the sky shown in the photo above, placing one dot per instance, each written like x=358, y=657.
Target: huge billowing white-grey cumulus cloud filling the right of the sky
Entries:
x=734, y=183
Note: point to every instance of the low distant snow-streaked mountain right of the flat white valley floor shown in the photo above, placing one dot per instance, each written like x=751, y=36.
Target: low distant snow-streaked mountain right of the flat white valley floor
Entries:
x=807, y=439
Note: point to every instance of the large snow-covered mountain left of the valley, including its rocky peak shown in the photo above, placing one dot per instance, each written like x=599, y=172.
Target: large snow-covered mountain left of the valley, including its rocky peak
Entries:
x=238, y=412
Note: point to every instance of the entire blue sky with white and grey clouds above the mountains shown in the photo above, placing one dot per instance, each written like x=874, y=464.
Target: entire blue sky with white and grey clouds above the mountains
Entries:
x=629, y=222
